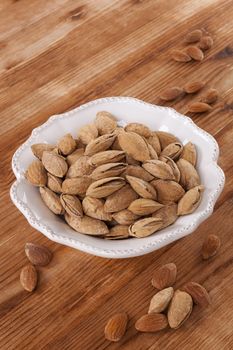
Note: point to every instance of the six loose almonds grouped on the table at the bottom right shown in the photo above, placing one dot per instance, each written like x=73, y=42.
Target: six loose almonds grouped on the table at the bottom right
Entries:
x=168, y=307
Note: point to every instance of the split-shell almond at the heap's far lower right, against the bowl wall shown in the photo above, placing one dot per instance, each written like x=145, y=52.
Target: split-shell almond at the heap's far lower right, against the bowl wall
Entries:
x=190, y=201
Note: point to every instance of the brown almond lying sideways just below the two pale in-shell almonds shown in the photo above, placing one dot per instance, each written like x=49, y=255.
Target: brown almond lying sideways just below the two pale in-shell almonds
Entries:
x=151, y=323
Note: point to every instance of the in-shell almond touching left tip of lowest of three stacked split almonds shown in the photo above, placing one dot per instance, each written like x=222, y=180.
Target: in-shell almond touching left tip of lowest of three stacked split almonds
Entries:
x=76, y=186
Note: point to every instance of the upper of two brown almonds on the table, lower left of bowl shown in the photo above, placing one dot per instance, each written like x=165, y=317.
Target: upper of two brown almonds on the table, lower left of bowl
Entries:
x=38, y=254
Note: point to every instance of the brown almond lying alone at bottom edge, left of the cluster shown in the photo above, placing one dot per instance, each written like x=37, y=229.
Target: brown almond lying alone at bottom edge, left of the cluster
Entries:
x=116, y=327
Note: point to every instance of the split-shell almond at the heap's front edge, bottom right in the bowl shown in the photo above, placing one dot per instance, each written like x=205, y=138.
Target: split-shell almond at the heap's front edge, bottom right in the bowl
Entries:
x=145, y=227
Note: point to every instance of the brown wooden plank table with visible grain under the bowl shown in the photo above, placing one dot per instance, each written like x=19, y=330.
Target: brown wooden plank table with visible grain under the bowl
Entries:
x=56, y=55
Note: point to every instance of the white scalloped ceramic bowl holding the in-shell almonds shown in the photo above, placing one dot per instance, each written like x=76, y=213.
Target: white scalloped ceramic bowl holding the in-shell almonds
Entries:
x=126, y=109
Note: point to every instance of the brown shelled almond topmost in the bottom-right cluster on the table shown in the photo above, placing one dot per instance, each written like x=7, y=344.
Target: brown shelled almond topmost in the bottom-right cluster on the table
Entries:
x=164, y=276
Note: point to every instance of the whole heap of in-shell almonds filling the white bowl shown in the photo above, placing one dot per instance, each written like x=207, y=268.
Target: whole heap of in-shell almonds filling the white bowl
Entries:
x=116, y=182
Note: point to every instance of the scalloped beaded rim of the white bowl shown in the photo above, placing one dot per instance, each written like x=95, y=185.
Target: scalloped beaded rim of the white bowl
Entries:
x=142, y=249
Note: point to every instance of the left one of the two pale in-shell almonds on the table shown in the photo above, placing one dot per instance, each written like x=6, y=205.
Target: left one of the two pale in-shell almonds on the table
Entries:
x=161, y=300
